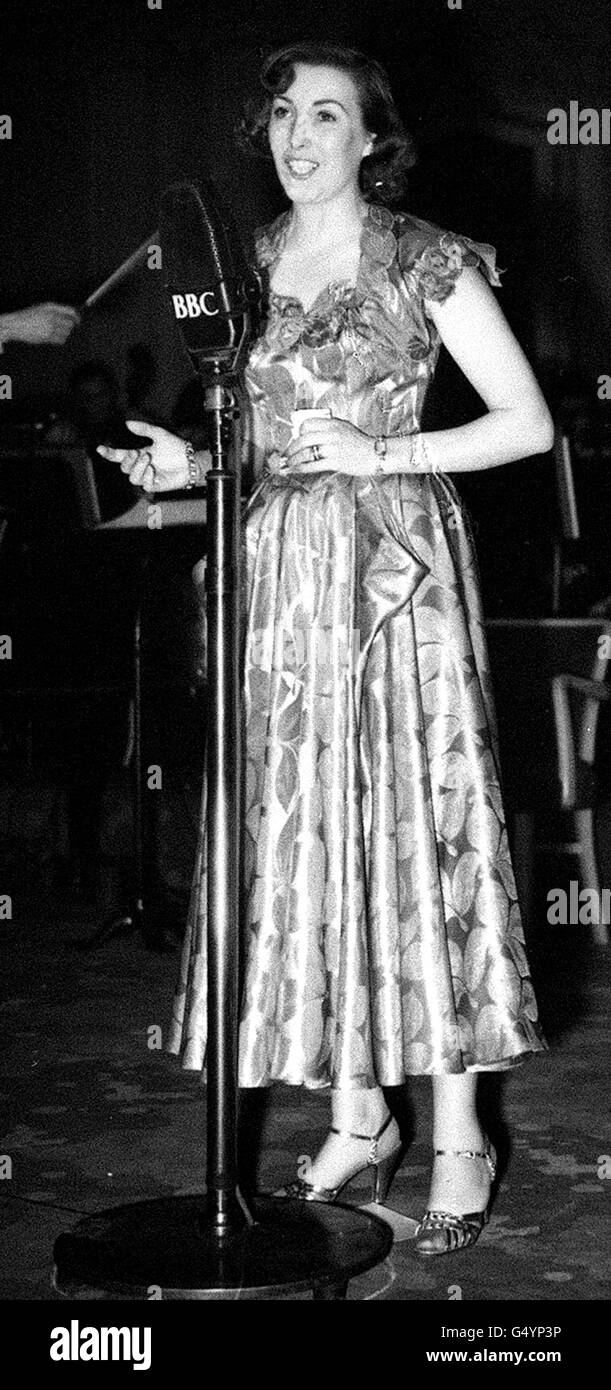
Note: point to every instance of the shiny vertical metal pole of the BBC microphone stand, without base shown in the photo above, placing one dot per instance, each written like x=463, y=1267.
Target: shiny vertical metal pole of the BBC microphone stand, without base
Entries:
x=224, y=762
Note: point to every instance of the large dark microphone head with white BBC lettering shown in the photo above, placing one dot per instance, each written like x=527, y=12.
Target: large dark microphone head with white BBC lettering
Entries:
x=213, y=290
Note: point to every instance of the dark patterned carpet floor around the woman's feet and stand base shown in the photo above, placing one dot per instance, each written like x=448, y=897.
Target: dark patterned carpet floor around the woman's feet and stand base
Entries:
x=94, y=1115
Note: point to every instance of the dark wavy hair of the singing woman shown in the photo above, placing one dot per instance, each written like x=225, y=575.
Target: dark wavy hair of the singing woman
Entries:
x=384, y=173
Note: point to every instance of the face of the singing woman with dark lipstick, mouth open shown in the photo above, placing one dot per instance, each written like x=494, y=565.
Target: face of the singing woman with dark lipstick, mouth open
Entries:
x=317, y=136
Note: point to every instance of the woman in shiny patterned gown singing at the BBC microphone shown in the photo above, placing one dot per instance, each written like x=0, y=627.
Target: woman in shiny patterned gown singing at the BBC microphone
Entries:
x=381, y=933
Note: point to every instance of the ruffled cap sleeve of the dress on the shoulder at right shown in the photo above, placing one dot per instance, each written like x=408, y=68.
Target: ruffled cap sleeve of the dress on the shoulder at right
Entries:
x=433, y=259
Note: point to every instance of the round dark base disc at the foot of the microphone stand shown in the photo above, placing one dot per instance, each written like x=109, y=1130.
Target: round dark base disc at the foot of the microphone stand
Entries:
x=169, y=1249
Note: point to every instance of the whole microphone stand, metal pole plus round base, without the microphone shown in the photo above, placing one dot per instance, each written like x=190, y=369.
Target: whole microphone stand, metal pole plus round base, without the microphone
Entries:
x=217, y=1246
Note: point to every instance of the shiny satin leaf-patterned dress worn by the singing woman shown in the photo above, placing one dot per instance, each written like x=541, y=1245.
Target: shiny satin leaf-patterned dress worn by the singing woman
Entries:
x=381, y=928
